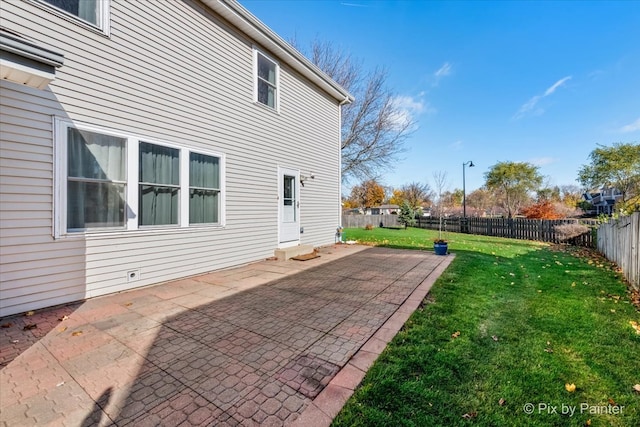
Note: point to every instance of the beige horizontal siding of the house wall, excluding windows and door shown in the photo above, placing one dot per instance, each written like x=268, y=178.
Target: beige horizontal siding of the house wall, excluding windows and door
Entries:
x=179, y=75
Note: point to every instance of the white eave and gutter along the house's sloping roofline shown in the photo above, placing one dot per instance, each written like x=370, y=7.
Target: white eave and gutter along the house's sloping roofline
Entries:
x=241, y=18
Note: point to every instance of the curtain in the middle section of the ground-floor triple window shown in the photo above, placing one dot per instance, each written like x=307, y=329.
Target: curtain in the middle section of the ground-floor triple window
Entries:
x=159, y=184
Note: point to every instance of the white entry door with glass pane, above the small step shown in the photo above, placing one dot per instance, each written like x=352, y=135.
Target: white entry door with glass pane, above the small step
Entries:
x=289, y=210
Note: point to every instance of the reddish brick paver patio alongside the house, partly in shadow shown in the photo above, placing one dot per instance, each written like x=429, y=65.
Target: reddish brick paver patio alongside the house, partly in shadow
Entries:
x=272, y=343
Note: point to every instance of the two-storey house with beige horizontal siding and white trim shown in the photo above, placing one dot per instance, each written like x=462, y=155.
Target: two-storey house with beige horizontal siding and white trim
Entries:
x=148, y=141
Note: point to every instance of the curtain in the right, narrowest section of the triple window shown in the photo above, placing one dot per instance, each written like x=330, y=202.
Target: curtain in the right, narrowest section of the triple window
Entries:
x=204, y=183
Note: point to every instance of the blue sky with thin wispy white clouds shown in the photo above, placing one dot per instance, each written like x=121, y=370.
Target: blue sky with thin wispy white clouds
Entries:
x=540, y=82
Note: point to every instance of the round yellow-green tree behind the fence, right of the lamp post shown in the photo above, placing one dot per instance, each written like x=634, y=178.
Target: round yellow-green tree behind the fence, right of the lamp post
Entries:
x=513, y=181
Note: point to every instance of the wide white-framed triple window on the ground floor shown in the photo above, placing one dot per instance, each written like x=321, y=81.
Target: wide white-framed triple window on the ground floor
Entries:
x=107, y=181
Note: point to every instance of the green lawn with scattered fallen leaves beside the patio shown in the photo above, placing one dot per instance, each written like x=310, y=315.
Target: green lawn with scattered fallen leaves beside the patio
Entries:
x=509, y=323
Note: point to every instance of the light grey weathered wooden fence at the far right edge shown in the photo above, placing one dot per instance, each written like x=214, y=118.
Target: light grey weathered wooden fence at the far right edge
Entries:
x=619, y=241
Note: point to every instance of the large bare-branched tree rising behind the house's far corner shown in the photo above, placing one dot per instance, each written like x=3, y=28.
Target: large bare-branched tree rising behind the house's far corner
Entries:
x=374, y=127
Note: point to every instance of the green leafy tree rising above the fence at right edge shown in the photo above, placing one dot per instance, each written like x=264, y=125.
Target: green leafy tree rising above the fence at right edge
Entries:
x=617, y=166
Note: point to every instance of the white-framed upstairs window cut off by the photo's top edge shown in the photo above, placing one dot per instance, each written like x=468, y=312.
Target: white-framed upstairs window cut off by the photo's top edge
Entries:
x=94, y=13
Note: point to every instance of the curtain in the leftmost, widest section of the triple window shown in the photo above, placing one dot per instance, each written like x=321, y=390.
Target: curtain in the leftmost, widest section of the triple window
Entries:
x=94, y=162
